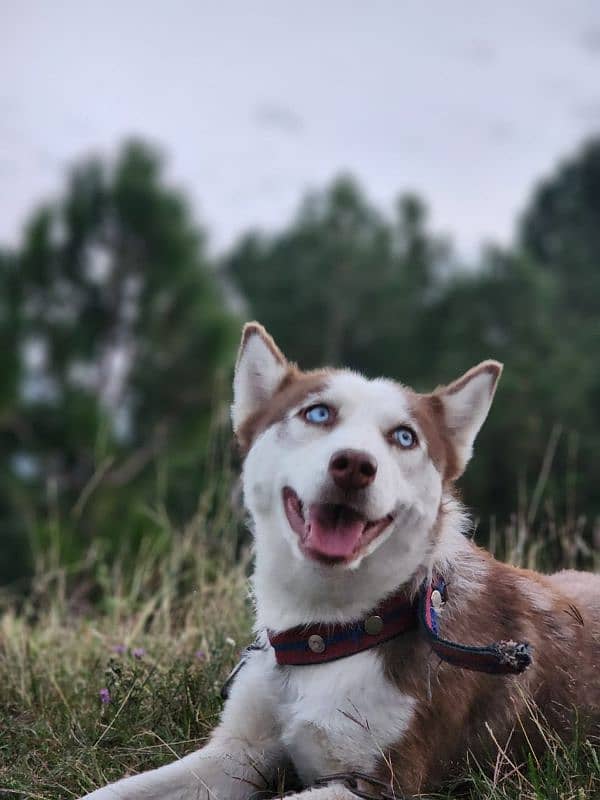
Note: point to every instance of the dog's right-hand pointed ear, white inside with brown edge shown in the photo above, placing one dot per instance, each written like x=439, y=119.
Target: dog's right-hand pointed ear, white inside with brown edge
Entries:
x=466, y=403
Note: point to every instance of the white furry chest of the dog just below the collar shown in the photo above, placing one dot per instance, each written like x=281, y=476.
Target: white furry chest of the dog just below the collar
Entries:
x=340, y=715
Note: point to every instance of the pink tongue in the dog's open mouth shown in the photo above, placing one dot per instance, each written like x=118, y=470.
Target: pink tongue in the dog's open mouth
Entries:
x=333, y=533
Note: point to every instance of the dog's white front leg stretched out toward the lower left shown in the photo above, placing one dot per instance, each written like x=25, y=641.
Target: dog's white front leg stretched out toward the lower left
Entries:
x=238, y=762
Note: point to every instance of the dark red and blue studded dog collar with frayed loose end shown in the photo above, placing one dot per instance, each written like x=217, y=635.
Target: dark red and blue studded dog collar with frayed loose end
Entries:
x=319, y=643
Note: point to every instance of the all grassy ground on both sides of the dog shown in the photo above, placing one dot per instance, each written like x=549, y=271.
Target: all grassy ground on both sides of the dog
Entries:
x=105, y=672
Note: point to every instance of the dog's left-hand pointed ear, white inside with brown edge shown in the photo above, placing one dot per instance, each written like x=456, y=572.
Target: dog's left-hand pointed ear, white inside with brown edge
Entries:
x=259, y=370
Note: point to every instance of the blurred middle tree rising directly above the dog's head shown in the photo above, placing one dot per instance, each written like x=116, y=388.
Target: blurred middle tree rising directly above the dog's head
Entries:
x=342, y=285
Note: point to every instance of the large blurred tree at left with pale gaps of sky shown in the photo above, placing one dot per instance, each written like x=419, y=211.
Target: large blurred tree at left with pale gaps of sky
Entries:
x=119, y=343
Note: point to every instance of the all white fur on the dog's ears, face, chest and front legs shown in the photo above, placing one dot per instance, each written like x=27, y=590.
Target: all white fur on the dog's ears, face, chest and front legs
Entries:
x=343, y=714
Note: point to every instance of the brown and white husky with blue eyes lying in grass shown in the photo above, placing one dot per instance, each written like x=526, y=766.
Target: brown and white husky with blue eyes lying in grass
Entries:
x=374, y=611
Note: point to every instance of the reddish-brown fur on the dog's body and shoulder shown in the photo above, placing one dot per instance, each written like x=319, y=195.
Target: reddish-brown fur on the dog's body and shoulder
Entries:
x=558, y=615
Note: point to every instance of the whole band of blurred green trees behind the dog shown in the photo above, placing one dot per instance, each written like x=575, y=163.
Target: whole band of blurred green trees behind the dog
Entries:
x=118, y=345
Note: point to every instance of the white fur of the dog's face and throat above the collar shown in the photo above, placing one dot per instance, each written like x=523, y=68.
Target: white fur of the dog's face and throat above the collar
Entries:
x=295, y=454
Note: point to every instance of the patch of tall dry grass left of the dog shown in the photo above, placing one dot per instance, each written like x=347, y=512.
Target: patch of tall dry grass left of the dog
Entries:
x=155, y=636
